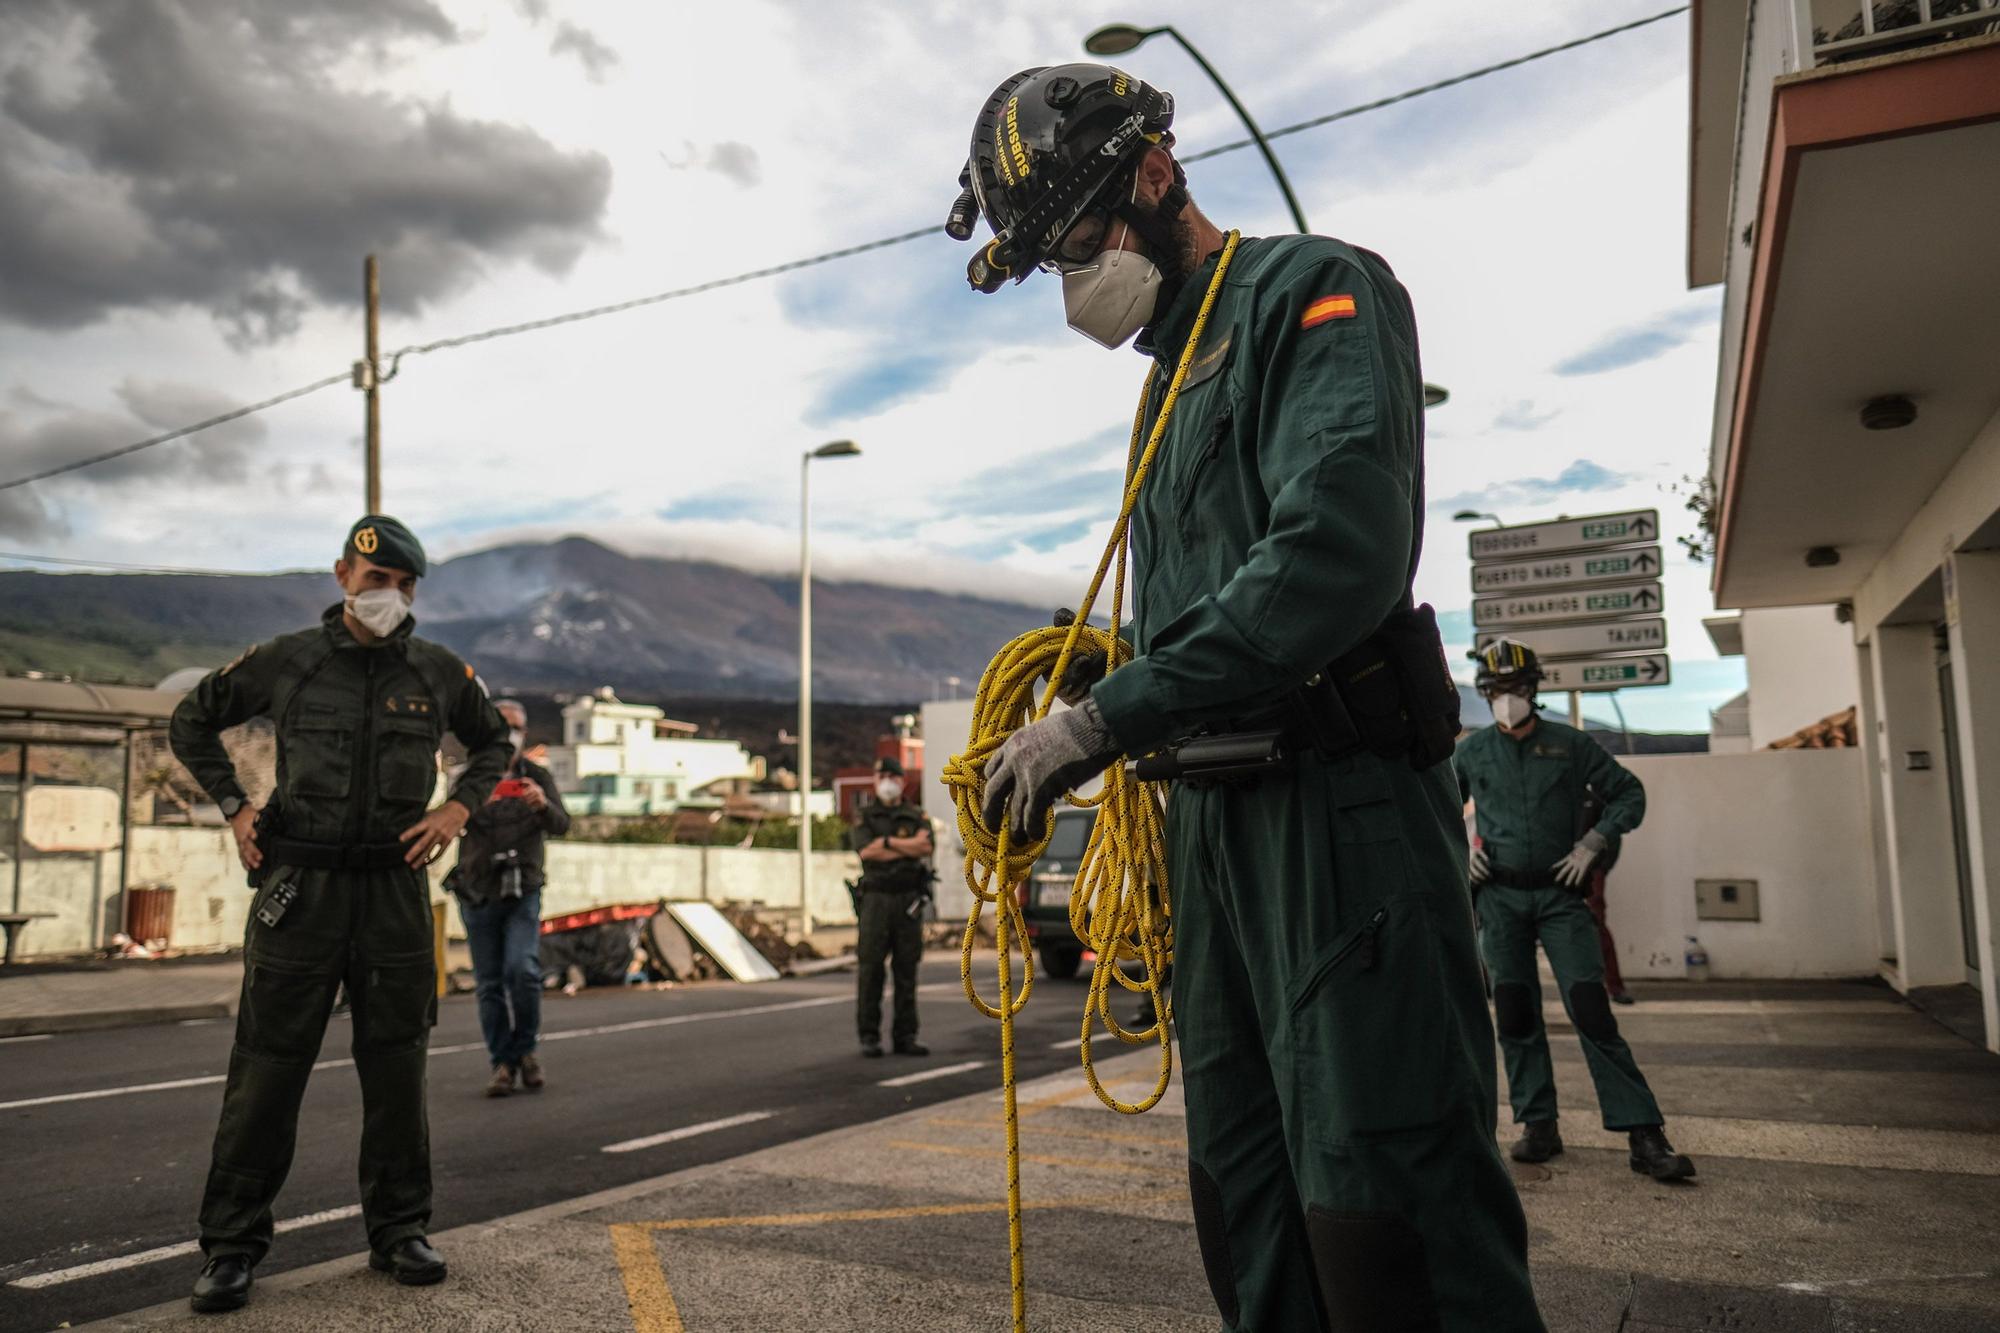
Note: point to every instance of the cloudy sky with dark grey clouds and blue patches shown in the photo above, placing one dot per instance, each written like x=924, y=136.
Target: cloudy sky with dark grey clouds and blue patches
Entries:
x=187, y=193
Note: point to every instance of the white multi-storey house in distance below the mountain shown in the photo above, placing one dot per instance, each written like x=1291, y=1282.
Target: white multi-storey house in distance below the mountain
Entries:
x=633, y=760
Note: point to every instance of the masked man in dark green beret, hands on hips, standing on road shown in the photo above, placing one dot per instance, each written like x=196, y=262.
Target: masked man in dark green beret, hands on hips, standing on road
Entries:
x=339, y=860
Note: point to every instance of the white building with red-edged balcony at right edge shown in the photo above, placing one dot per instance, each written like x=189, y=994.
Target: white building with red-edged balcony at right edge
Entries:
x=1845, y=169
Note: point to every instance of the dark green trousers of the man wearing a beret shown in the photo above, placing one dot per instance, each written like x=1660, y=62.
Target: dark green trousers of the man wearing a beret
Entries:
x=373, y=932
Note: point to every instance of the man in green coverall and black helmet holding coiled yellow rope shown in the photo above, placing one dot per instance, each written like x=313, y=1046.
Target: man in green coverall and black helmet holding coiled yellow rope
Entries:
x=1335, y=1036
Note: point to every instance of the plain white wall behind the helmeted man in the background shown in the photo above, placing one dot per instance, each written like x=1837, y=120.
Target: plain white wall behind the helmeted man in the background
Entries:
x=1795, y=822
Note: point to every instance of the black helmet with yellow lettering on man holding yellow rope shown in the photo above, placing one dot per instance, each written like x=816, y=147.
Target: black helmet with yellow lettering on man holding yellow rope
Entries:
x=1053, y=159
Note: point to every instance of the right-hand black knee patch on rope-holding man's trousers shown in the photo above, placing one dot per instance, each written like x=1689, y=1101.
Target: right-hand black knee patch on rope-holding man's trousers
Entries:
x=1373, y=1274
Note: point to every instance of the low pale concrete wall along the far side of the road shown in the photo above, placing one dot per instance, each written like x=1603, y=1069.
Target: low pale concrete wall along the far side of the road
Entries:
x=213, y=902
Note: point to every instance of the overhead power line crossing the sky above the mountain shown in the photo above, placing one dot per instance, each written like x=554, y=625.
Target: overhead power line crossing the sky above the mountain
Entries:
x=813, y=261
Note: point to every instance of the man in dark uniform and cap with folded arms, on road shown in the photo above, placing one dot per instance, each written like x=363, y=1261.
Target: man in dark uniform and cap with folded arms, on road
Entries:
x=895, y=846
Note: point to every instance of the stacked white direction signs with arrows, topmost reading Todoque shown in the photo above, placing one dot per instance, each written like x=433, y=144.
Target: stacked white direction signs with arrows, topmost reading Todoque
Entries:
x=1585, y=593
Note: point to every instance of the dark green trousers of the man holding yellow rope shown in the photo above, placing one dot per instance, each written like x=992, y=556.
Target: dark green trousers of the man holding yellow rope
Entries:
x=1339, y=1058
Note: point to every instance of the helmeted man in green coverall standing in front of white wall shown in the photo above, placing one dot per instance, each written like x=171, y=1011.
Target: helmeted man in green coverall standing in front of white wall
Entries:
x=1533, y=782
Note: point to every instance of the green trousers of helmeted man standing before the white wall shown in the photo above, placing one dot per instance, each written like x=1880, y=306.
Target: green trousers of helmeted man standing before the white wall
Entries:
x=1511, y=924
